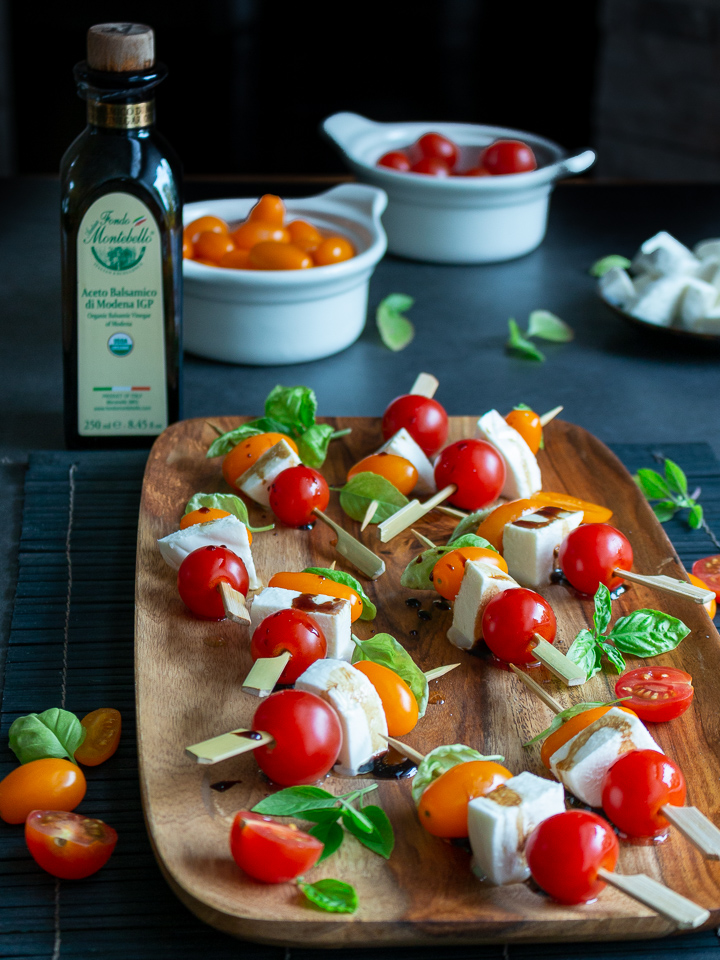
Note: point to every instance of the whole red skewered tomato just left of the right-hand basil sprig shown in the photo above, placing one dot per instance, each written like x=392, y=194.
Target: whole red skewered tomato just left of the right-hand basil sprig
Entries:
x=510, y=621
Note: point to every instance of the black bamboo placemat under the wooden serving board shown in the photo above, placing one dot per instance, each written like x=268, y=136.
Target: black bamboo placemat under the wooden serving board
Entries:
x=71, y=645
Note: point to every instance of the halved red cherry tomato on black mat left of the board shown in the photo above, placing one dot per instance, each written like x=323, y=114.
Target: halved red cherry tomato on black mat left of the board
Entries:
x=68, y=845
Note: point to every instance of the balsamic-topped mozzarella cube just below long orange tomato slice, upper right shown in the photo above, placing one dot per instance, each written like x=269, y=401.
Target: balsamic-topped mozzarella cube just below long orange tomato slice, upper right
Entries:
x=529, y=544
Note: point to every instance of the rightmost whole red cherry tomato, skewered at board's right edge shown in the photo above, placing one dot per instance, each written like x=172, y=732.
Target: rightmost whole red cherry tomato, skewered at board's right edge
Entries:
x=635, y=789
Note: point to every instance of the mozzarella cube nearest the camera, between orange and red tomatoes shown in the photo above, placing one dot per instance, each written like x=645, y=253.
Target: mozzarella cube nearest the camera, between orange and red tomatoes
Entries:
x=500, y=822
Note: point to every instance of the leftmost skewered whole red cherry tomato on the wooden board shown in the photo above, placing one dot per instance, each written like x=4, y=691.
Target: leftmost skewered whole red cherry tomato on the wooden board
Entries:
x=200, y=575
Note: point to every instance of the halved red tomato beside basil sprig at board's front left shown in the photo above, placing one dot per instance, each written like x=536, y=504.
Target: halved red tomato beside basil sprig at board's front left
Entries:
x=269, y=851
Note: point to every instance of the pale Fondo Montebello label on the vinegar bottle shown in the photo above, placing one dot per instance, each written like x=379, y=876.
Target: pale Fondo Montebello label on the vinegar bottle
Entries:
x=121, y=339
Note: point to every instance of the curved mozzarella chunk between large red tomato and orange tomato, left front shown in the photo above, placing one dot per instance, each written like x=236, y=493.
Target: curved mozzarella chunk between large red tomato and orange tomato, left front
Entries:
x=359, y=709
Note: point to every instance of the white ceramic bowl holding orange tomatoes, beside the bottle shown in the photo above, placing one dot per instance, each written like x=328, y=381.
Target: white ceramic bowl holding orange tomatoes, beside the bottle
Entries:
x=271, y=317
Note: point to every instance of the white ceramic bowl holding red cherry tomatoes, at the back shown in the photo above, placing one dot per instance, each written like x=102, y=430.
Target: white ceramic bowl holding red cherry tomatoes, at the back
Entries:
x=455, y=219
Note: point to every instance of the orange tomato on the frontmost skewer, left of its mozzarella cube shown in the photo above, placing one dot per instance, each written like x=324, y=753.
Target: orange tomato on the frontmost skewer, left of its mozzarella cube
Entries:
x=443, y=805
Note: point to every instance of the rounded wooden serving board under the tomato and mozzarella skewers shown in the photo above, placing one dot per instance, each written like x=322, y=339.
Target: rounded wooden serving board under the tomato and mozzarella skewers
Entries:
x=189, y=675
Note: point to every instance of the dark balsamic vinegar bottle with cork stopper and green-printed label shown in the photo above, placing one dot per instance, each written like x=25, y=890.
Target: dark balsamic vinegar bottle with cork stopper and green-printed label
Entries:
x=121, y=251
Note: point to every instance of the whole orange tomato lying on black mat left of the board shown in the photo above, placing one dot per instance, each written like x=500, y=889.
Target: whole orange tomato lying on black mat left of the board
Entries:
x=41, y=784
